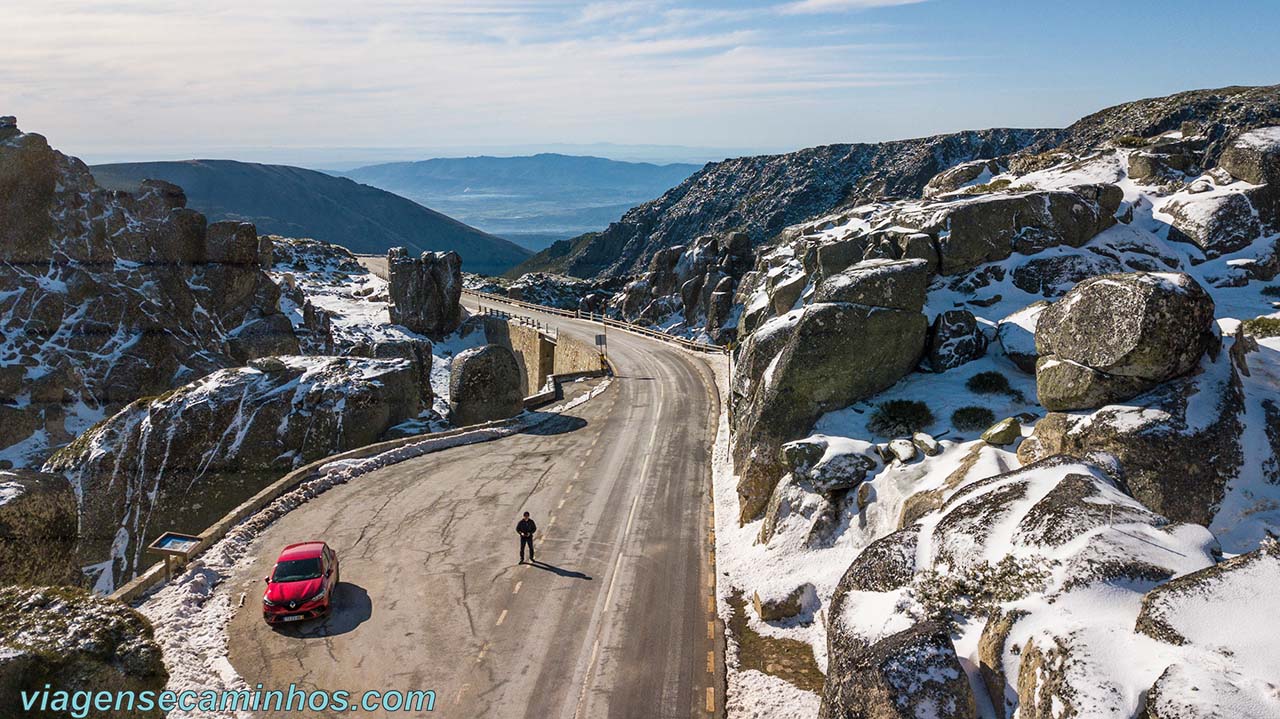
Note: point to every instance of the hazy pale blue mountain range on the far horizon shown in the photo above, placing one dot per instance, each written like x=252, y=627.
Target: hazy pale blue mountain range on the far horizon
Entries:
x=532, y=200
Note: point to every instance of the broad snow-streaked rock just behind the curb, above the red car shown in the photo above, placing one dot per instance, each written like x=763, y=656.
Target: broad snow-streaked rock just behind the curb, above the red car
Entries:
x=182, y=460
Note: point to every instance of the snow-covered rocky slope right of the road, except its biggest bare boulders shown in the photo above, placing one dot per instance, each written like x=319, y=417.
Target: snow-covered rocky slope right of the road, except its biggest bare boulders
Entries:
x=1039, y=566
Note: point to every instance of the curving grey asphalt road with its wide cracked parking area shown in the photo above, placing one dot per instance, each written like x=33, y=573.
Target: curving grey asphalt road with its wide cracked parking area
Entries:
x=616, y=621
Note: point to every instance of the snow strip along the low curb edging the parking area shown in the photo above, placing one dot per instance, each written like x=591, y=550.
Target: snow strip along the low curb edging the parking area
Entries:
x=190, y=615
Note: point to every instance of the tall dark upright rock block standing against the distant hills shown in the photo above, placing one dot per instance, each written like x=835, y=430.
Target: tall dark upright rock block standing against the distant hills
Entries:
x=426, y=291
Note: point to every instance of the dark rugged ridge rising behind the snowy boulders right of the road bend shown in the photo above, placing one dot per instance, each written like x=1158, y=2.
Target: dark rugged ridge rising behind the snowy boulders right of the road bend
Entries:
x=762, y=195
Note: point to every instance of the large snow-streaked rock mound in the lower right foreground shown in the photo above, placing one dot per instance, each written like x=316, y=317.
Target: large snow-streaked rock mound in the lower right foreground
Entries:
x=1013, y=551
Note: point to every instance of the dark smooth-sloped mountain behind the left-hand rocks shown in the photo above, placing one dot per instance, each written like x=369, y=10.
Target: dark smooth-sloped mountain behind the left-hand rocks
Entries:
x=299, y=203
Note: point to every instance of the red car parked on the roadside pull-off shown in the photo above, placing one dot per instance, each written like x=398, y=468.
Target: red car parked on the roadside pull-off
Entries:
x=303, y=584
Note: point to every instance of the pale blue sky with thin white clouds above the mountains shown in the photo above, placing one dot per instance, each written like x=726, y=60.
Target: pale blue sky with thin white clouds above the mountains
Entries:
x=327, y=81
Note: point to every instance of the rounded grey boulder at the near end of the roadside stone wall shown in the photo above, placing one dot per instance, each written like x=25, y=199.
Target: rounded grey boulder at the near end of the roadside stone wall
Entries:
x=484, y=386
